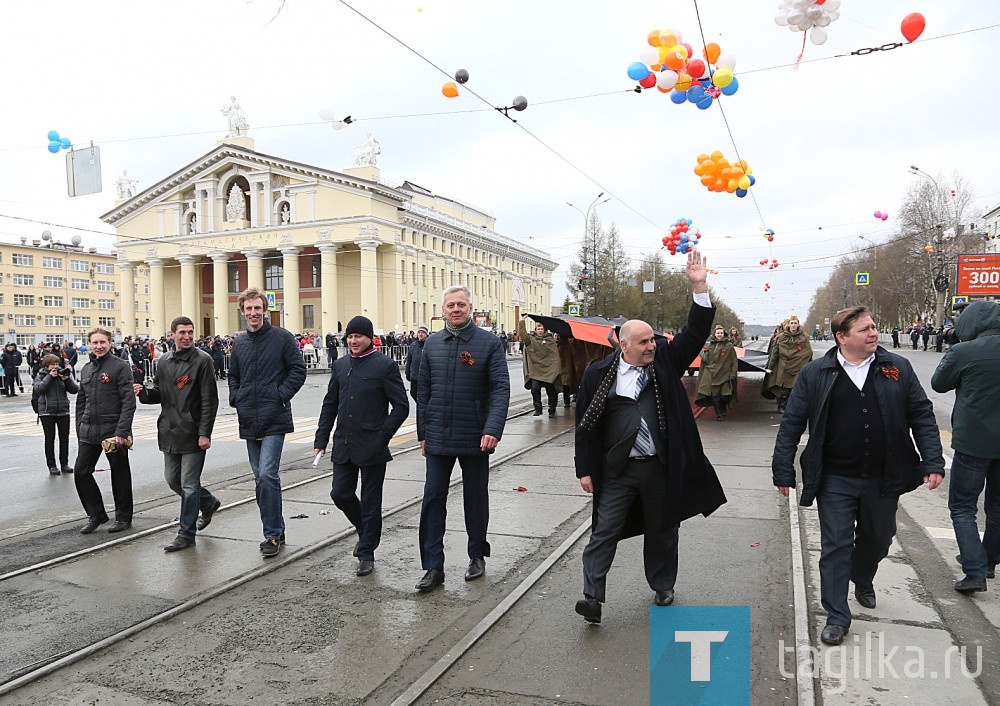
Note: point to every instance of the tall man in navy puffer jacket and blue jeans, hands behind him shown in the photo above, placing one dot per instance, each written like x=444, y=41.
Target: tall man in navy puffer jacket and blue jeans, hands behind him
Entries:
x=265, y=371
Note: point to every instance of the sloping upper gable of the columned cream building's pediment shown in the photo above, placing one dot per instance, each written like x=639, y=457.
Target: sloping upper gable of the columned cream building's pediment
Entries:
x=217, y=166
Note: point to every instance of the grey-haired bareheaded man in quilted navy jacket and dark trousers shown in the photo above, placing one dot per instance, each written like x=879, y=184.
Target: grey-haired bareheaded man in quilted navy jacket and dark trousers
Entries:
x=462, y=402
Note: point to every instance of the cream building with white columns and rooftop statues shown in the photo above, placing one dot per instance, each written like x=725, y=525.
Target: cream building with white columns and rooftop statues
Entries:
x=330, y=245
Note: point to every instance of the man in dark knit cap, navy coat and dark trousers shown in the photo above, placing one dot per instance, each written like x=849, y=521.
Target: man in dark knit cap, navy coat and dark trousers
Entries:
x=363, y=385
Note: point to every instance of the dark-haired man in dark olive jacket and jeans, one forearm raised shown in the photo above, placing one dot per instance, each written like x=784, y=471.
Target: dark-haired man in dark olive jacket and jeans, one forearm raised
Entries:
x=184, y=386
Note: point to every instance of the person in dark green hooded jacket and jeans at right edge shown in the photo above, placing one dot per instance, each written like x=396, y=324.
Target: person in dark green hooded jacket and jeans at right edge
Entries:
x=971, y=367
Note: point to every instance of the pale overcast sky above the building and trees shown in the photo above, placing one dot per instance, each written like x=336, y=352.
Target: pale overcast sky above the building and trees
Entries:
x=830, y=141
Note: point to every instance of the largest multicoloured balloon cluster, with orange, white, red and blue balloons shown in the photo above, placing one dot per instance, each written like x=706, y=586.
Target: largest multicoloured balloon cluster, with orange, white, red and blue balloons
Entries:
x=669, y=64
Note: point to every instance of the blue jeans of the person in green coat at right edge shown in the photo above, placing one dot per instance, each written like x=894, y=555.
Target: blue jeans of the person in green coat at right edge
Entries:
x=969, y=475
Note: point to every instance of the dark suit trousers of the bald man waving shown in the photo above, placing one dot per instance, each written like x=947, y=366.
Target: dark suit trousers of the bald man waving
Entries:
x=648, y=481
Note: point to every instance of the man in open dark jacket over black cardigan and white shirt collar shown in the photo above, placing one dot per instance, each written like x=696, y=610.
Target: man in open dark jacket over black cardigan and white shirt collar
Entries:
x=862, y=404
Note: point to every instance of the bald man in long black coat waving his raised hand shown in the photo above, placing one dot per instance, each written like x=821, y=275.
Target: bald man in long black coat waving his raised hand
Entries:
x=637, y=446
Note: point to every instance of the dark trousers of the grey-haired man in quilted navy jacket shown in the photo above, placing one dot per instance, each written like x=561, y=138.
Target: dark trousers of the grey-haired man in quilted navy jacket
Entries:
x=434, y=510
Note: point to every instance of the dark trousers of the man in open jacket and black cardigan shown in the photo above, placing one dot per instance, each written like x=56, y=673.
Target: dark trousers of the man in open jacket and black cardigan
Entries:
x=856, y=529
